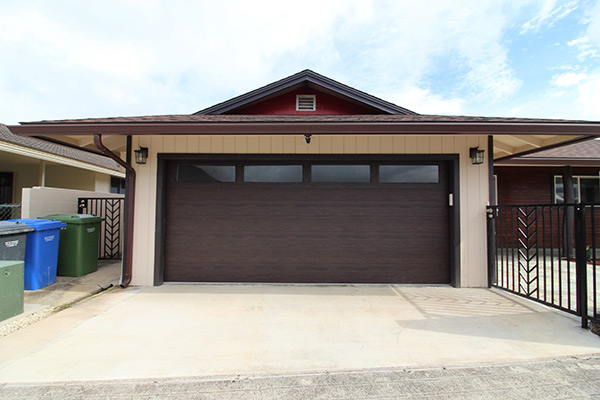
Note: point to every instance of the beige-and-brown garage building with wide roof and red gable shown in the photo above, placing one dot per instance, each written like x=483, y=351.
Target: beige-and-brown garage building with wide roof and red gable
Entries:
x=308, y=180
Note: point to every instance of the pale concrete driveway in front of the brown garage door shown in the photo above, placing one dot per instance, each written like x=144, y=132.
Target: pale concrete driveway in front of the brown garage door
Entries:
x=206, y=330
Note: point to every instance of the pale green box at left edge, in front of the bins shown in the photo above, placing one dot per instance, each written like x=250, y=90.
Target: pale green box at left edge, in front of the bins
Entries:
x=11, y=288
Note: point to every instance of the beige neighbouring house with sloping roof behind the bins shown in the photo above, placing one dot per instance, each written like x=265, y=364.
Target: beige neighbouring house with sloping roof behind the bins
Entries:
x=26, y=162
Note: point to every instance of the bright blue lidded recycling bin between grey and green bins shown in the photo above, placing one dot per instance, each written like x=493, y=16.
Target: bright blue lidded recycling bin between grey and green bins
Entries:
x=41, y=253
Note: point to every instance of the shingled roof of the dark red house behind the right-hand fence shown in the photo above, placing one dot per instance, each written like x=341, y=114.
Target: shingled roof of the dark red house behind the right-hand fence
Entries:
x=578, y=152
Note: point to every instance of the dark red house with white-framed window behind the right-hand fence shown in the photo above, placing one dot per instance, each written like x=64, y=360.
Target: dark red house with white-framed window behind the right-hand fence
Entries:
x=537, y=177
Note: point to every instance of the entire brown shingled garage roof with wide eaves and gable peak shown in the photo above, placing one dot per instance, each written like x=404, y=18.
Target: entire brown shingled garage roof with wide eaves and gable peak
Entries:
x=510, y=135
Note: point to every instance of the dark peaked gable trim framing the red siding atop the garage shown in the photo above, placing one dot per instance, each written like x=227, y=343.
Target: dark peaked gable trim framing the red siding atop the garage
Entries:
x=306, y=77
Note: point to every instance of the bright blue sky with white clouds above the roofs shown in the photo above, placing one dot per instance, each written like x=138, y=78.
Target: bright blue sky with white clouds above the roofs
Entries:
x=81, y=59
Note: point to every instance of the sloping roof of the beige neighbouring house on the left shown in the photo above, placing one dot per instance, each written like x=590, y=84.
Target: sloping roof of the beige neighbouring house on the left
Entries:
x=49, y=151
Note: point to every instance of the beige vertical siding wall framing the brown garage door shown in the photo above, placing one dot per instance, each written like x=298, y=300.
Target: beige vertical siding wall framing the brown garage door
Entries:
x=473, y=182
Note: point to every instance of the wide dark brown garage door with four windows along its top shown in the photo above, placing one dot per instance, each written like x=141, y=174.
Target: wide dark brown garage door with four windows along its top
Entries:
x=306, y=222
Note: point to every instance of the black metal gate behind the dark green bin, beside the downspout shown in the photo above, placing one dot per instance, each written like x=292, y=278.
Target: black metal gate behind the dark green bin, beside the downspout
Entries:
x=111, y=212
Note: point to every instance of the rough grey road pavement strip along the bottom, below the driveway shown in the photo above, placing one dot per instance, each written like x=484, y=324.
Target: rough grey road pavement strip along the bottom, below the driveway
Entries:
x=562, y=378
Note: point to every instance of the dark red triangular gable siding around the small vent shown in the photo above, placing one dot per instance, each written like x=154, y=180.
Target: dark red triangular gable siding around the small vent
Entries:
x=285, y=104
